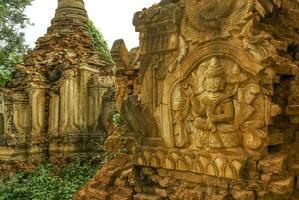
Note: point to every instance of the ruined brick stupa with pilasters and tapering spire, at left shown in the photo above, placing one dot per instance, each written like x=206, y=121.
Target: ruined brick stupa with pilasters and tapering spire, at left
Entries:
x=53, y=106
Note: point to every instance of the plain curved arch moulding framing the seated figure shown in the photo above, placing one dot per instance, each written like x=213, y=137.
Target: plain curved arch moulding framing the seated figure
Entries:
x=193, y=60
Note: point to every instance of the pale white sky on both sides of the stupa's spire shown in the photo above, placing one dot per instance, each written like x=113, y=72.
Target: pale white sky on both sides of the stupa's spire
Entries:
x=112, y=17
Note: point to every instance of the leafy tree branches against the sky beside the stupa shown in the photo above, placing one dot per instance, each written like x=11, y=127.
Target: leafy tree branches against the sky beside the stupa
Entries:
x=12, y=42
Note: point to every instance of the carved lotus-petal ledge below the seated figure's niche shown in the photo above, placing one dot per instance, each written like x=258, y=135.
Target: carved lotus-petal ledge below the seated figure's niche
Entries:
x=219, y=163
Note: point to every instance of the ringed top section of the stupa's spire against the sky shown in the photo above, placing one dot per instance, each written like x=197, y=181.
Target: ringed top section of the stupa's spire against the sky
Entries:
x=70, y=12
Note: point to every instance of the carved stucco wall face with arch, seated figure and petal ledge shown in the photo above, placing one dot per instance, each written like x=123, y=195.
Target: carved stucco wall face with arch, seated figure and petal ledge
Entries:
x=206, y=86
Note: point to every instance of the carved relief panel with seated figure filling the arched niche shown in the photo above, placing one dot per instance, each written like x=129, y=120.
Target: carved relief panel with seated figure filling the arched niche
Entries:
x=220, y=105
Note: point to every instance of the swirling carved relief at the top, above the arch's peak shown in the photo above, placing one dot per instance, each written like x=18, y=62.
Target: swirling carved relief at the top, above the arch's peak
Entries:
x=211, y=19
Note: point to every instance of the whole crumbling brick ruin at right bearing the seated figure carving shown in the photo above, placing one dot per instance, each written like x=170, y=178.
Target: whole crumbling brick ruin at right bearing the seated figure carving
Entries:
x=217, y=113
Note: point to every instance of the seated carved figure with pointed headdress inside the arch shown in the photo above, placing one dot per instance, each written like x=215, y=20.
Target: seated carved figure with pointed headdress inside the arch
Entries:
x=213, y=109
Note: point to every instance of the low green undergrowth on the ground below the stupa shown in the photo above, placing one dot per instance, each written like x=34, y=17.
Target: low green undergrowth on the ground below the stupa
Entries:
x=47, y=183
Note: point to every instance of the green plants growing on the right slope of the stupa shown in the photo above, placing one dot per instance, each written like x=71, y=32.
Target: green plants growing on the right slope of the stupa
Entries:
x=99, y=42
